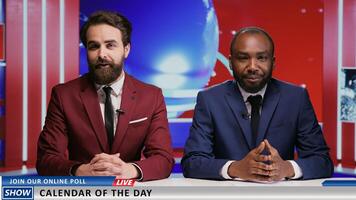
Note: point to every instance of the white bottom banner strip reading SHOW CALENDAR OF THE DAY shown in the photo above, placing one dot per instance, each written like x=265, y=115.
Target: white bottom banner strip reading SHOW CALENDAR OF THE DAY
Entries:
x=183, y=192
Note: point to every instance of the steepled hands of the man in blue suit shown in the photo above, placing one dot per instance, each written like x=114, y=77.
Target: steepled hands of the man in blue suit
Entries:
x=261, y=168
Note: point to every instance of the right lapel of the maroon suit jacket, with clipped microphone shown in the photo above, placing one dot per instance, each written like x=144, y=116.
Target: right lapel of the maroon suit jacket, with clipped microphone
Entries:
x=128, y=102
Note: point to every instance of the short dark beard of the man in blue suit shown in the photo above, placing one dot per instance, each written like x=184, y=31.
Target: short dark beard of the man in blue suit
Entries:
x=252, y=88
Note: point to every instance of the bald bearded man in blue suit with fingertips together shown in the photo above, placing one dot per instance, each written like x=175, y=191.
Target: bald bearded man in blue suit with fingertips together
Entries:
x=249, y=128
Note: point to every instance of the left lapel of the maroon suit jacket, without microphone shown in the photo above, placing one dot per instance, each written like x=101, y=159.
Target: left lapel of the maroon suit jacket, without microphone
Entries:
x=90, y=100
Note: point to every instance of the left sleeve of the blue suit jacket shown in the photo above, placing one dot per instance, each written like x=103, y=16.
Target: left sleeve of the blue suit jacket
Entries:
x=199, y=160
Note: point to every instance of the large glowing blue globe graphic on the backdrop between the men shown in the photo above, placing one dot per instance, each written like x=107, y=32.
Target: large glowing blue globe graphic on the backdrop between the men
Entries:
x=174, y=45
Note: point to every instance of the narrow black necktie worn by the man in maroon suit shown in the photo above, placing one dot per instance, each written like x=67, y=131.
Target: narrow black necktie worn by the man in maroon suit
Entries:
x=109, y=115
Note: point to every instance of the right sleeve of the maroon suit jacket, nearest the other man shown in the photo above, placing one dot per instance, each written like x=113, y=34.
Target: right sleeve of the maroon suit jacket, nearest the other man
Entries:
x=159, y=161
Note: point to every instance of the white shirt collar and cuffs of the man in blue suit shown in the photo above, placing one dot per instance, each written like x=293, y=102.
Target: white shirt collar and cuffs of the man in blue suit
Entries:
x=297, y=170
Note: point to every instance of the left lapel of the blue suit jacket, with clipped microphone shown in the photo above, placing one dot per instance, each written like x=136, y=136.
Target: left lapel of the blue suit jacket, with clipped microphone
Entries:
x=238, y=107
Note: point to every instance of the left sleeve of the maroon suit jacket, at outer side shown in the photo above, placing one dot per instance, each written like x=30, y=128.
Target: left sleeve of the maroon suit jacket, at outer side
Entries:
x=52, y=144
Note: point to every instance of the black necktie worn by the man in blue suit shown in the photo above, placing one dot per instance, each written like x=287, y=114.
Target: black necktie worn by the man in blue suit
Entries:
x=255, y=102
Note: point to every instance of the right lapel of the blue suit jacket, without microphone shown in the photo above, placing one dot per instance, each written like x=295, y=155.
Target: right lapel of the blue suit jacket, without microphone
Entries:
x=270, y=102
